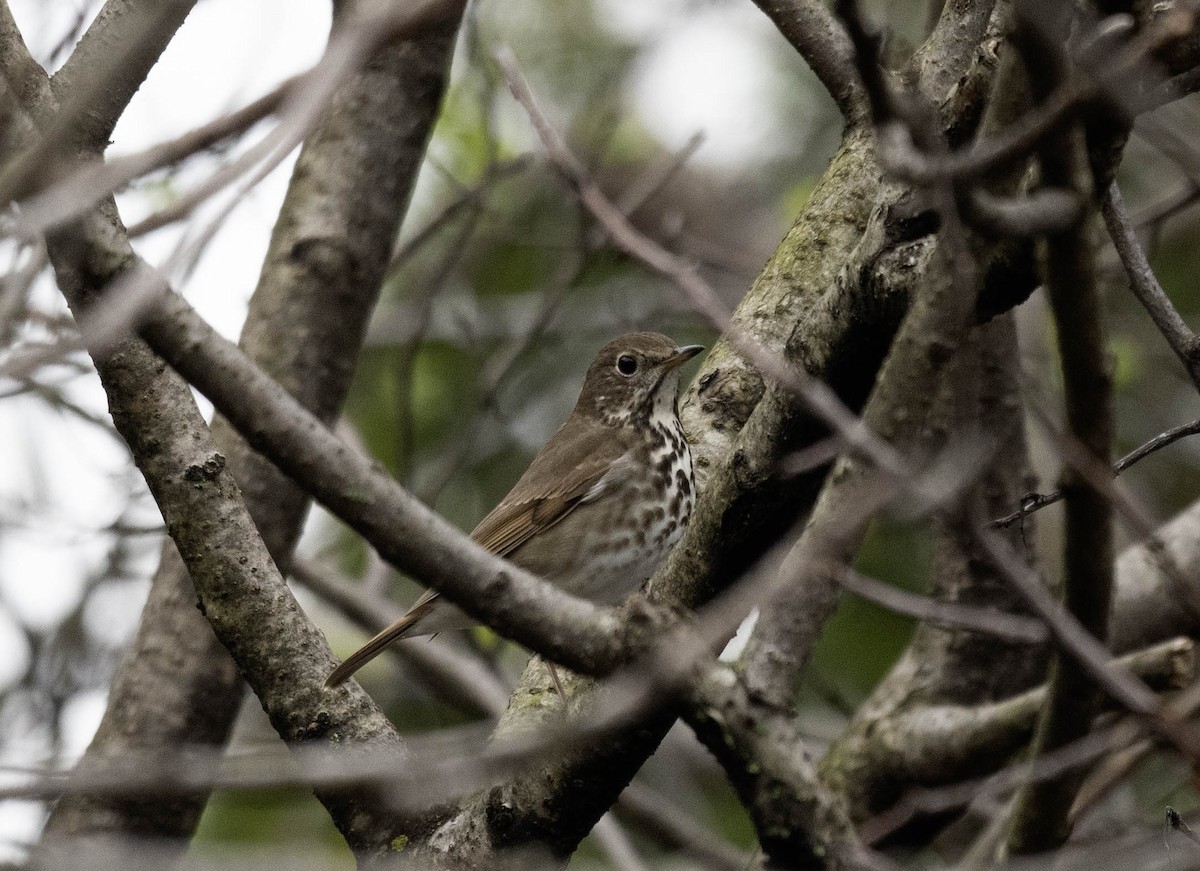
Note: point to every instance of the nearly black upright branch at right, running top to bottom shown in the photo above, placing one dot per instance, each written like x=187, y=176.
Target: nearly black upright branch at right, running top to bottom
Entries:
x=1040, y=820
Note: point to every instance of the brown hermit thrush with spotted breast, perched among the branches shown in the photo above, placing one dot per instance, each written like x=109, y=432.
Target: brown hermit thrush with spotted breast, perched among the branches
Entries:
x=602, y=504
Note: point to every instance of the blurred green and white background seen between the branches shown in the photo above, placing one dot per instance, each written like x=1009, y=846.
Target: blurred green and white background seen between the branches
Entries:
x=698, y=117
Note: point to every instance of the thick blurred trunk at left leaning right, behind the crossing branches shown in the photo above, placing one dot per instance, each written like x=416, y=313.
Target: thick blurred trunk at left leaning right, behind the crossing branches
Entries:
x=322, y=275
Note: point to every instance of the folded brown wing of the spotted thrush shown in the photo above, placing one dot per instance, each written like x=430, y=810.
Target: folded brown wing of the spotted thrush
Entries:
x=575, y=467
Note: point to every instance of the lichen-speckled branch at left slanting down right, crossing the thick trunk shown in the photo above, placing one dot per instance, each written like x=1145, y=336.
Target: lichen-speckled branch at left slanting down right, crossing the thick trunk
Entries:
x=173, y=438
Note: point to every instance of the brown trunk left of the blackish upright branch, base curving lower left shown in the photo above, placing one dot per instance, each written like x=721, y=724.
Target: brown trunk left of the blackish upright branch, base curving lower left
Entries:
x=977, y=399
